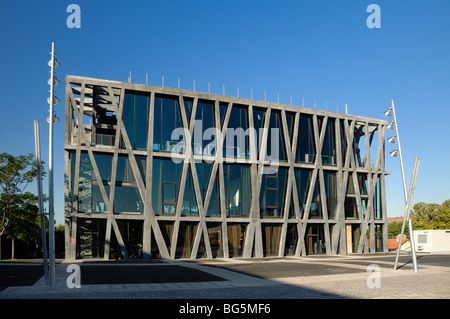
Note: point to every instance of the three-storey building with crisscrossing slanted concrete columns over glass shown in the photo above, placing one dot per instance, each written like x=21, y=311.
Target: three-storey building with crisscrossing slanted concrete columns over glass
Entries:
x=296, y=180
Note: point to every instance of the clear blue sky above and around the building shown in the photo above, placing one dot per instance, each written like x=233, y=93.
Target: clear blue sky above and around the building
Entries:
x=316, y=50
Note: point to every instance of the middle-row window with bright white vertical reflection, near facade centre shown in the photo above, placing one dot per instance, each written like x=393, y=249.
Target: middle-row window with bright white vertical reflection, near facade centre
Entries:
x=237, y=189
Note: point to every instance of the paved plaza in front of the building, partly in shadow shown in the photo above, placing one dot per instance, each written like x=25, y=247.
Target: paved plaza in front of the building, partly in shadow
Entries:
x=313, y=277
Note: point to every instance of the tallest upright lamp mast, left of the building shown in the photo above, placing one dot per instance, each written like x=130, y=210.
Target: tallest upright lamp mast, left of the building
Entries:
x=51, y=228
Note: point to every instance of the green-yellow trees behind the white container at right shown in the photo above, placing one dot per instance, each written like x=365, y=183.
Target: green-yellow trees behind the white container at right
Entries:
x=431, y=215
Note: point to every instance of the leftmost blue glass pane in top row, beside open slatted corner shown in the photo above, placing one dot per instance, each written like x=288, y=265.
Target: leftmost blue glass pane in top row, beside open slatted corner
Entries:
x=135, y=118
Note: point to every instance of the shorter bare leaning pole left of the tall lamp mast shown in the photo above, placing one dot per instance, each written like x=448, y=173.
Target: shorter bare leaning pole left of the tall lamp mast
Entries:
x=41, y=202
